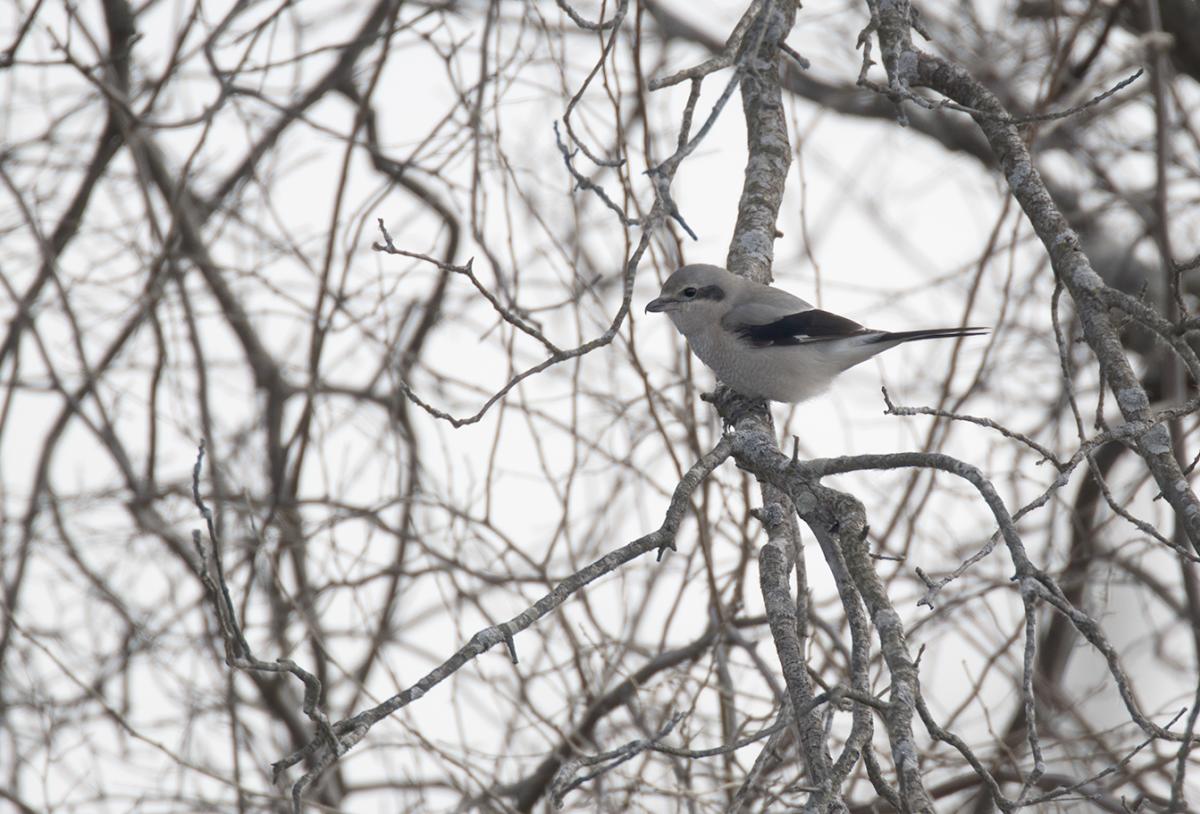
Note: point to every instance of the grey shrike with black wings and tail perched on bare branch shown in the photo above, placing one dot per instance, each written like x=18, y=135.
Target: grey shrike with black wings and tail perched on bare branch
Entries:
x=767, y=344
